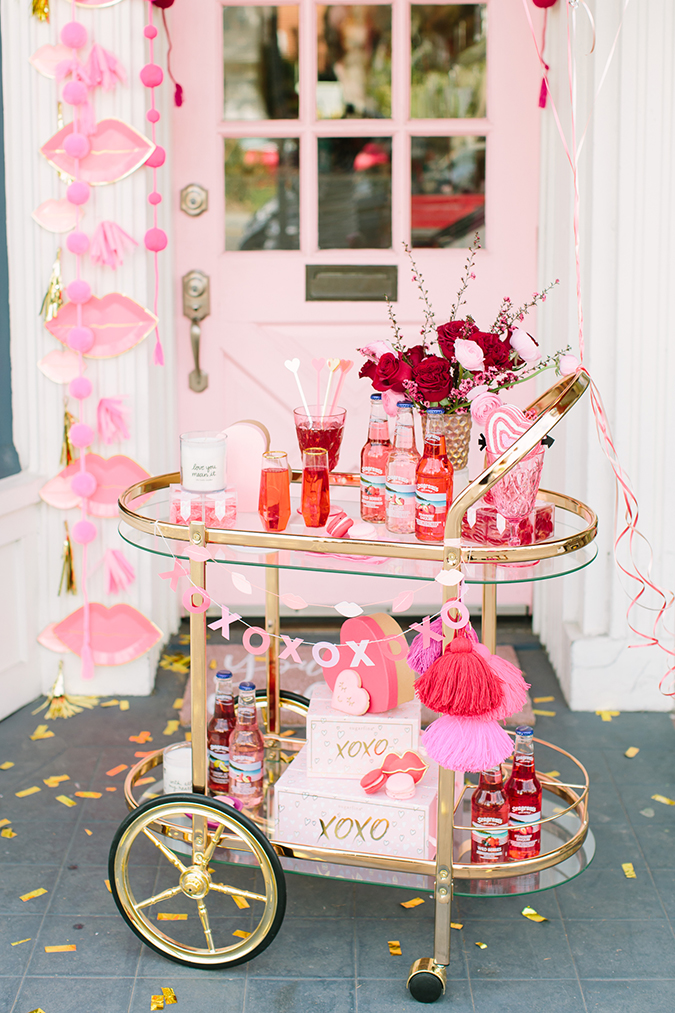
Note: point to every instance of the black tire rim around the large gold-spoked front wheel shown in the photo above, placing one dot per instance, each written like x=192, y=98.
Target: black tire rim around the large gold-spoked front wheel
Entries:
x=236, y=817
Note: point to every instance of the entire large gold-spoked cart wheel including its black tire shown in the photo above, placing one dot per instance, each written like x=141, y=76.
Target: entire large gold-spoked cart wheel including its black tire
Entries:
x=197, y=881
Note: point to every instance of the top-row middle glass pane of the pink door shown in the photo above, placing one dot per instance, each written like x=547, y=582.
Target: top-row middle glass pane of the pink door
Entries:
x=354, y=55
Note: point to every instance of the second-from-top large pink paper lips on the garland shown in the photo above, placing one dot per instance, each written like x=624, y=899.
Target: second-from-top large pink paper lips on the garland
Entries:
x=117, y=322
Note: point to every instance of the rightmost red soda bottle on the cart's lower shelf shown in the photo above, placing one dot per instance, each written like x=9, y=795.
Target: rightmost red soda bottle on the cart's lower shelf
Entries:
x=524, y=796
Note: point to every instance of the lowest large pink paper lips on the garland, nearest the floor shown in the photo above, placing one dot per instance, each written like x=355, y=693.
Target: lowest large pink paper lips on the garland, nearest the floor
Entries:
x=119, y=635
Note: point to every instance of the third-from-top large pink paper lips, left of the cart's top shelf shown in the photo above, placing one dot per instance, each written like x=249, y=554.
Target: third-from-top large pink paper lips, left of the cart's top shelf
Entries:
x=114, y=476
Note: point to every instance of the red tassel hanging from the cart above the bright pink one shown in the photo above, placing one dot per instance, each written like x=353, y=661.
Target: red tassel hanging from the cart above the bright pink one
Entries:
x=461, y=683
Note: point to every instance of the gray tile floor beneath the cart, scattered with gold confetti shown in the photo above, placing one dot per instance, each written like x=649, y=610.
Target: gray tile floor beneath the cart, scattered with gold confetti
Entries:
x=608, y=947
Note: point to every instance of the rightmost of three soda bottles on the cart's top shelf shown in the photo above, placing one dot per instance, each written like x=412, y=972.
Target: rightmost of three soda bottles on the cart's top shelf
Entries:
x=434, y=482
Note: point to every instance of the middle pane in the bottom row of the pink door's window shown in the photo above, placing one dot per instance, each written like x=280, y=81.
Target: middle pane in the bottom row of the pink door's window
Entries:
x=355, y=193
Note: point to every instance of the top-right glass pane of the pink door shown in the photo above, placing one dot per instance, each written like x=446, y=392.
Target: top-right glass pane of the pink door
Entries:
x=448, y=61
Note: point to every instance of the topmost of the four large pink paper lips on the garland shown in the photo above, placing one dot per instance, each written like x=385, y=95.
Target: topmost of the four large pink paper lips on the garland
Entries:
x=117, y=151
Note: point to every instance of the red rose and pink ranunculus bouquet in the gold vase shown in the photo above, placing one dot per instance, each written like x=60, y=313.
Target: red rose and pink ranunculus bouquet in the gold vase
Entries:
x=458, y=366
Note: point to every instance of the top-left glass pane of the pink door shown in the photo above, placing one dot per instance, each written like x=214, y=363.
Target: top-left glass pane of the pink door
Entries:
x=261, y=63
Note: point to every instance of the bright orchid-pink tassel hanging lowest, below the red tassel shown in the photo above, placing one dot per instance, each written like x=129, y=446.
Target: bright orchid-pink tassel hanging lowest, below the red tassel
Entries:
x=467, y=743
